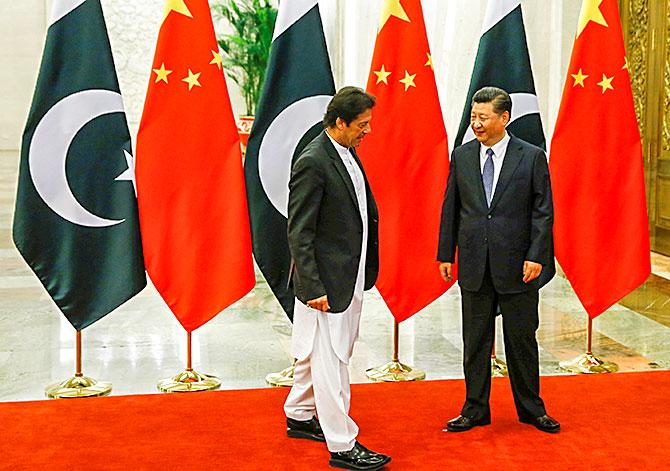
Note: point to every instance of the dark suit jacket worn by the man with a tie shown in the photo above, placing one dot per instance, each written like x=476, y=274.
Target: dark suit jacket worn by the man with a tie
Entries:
x=517, y=227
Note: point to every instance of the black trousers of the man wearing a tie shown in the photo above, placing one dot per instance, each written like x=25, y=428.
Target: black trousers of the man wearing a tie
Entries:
x=520, y=322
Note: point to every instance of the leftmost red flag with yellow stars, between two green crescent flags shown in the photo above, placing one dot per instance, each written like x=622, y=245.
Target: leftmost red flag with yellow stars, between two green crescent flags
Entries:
x=190, y=185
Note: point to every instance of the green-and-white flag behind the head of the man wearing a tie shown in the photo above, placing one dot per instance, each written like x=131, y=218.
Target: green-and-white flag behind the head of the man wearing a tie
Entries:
x=502, y=61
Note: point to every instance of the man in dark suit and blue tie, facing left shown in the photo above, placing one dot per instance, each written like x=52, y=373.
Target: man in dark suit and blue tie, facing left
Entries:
x=498, y=212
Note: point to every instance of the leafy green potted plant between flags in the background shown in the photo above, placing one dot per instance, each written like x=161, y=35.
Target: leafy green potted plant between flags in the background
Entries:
x=246, y=49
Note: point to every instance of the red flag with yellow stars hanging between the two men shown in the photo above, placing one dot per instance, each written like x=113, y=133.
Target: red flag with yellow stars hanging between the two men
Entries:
x=406, y=158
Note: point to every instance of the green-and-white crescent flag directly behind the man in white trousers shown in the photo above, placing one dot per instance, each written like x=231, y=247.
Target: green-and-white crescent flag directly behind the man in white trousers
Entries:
x=298, y=86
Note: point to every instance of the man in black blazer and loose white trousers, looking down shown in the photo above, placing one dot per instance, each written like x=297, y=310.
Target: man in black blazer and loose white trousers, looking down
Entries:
x=332, y=235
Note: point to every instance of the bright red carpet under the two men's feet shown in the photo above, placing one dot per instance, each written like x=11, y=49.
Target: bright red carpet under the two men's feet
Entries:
x=615, y=421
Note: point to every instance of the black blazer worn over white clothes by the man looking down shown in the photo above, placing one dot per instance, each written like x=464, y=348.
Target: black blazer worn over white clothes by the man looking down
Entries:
x=325, y=230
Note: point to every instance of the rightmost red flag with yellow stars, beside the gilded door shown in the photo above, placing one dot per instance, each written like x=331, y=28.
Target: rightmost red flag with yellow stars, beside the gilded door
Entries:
x=601, y=228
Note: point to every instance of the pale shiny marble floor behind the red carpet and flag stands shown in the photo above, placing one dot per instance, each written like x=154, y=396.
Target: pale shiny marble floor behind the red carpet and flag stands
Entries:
x=141, y=342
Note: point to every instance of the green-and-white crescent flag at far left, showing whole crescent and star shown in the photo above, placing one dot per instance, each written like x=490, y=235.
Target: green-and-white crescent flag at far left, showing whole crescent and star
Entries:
x=76, y=211
